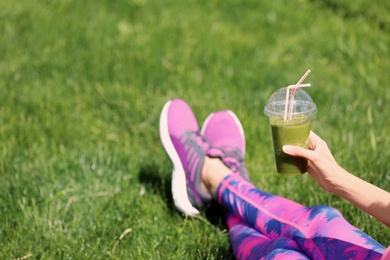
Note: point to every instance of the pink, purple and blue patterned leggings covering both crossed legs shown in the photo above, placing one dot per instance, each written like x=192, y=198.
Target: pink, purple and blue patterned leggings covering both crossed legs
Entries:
x=265, y=226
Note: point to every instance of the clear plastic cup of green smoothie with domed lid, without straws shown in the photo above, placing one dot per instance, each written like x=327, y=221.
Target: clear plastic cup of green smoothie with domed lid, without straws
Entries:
x=291, y=129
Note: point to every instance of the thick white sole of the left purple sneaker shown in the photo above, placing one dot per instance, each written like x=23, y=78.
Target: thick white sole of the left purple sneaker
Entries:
x=179, y=185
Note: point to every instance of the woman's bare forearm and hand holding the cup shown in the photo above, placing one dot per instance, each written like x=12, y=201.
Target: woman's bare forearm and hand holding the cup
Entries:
x=334, y=179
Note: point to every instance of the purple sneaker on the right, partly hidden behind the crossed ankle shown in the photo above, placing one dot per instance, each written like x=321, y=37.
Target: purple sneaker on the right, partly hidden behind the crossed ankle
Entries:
x=224, y=131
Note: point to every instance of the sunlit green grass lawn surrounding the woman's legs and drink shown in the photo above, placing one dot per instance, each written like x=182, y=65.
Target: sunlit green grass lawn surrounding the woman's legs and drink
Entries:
x=82, y=84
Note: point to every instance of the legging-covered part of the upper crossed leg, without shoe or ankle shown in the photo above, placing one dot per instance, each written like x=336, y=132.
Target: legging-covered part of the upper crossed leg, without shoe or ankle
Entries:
x=321, y=232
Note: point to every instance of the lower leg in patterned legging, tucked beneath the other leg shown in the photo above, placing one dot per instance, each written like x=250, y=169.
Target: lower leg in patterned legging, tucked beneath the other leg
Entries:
x=248, y=243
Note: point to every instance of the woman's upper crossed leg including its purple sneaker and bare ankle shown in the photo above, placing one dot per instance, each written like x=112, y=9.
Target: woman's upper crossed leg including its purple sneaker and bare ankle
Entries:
x=318, y=231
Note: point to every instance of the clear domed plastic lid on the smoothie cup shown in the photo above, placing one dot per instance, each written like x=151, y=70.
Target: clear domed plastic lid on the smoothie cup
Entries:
x=302, y=105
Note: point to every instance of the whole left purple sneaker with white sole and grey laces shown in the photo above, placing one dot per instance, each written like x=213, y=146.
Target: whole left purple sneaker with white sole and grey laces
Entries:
x=185, y=146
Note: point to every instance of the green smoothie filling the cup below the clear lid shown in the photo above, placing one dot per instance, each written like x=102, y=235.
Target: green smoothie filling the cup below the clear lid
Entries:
x=292, y=132
